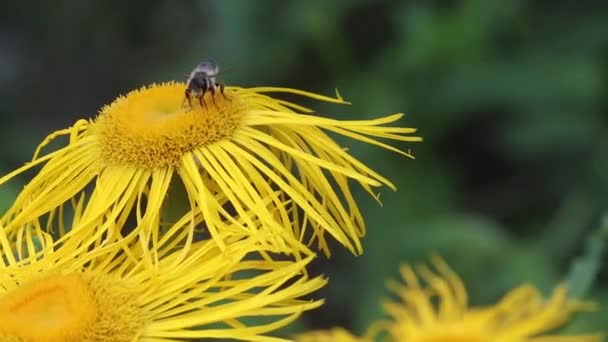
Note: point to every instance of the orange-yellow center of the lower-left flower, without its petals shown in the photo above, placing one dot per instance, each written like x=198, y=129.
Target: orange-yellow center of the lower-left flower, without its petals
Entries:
x=78, y=307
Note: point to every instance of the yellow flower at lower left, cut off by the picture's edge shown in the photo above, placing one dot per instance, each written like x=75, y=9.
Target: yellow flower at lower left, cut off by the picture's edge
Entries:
x=61, y=293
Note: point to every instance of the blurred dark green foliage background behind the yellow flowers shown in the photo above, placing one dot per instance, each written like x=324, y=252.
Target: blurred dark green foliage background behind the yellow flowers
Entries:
x=510, y=97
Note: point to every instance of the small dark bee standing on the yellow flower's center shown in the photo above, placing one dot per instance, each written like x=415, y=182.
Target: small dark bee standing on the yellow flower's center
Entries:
x=203, y=79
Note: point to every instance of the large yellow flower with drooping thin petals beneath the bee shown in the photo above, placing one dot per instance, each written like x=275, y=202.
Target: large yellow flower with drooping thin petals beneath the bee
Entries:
x=247, y=152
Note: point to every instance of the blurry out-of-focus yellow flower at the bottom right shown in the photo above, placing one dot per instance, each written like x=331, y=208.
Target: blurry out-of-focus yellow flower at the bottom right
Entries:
x=439, y=311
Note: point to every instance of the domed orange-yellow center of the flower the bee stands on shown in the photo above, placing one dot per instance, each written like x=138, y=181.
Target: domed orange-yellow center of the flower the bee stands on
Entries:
x=153, y=127
